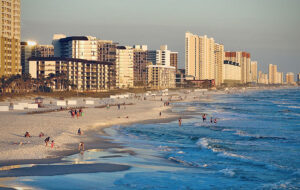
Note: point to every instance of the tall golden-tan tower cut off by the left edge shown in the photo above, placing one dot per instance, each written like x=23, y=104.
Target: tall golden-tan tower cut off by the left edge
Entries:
x=10, y=29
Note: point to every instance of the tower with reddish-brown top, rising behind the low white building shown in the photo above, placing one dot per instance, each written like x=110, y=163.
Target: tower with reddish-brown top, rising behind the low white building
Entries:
x=244, y=60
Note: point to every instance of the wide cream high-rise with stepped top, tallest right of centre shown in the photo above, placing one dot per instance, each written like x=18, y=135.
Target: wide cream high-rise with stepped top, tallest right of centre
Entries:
x=199, y=57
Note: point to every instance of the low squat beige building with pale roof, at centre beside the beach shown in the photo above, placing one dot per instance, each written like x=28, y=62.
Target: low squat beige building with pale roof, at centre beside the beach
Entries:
x=161, y=76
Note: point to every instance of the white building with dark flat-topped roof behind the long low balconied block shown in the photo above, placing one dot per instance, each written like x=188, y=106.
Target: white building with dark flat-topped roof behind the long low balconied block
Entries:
x=77, y=47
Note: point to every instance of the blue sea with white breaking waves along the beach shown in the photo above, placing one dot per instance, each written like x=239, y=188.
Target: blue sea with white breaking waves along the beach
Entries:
x=254, y=145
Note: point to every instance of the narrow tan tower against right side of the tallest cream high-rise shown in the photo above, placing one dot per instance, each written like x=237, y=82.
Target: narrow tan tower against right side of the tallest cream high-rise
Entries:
x=219, y=64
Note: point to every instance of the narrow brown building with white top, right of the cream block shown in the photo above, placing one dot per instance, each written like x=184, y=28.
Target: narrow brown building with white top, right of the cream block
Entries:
x=140, y=62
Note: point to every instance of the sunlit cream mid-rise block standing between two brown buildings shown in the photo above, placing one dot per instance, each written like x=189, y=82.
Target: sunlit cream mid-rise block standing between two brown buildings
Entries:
x=124, y=67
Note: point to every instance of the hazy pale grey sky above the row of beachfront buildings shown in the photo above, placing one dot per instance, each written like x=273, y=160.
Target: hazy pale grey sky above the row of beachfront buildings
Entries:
x=268, y=29
